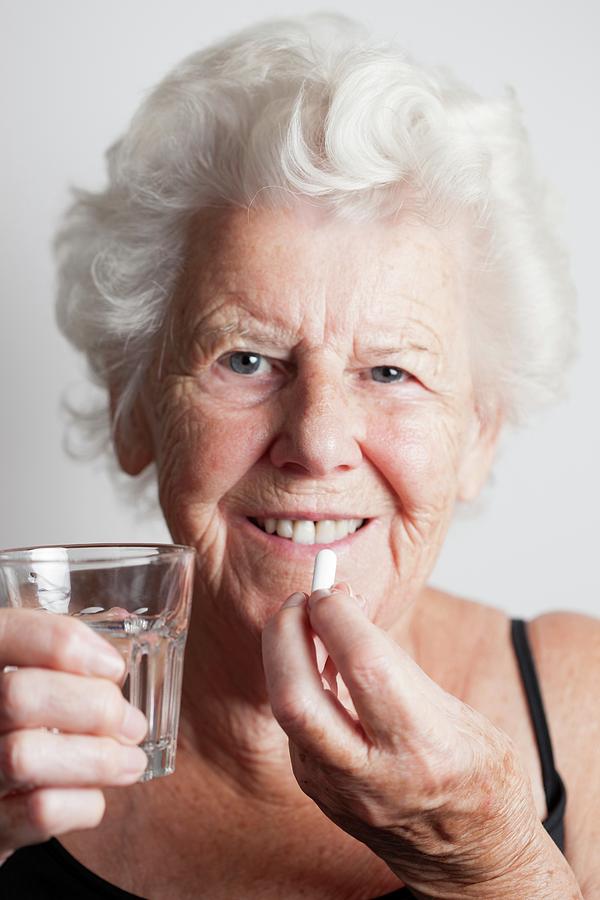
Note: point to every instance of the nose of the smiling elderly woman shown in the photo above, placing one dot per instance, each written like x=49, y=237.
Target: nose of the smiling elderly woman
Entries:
x=321, y=429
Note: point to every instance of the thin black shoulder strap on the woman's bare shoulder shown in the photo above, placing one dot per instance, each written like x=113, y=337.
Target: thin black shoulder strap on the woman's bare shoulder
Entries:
x=556, y=796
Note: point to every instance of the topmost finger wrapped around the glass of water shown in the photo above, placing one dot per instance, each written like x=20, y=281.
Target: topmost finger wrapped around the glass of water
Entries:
x=38, y=638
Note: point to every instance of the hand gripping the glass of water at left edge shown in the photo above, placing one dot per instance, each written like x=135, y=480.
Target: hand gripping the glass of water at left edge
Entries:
x=67, y=679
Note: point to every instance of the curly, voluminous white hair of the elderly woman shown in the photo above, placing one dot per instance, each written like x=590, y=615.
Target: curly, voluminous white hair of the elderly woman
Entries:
x=315, y=108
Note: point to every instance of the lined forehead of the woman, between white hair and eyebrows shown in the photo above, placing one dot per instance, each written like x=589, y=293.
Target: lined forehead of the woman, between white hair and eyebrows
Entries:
x=290, y=265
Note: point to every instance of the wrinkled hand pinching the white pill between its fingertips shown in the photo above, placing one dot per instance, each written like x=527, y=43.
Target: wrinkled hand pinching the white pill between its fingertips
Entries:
x=429, y=784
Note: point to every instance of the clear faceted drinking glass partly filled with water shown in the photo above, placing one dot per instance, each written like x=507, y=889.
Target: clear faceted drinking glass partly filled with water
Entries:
x=136, y=596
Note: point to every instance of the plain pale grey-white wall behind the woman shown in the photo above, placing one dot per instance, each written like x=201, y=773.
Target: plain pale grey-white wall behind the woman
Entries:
x=72, y=75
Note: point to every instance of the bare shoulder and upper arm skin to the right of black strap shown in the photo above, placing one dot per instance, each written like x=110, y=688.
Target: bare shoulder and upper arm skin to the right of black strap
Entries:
x=566, y=648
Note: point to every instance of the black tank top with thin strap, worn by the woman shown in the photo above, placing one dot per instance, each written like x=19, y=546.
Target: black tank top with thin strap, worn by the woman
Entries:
x=48, y=872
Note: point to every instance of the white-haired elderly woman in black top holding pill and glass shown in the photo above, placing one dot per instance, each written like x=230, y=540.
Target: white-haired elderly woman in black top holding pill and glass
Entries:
x=319, y=283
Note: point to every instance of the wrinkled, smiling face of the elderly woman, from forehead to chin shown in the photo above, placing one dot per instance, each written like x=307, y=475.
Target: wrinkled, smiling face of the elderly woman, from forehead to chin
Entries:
x=314, y=376
